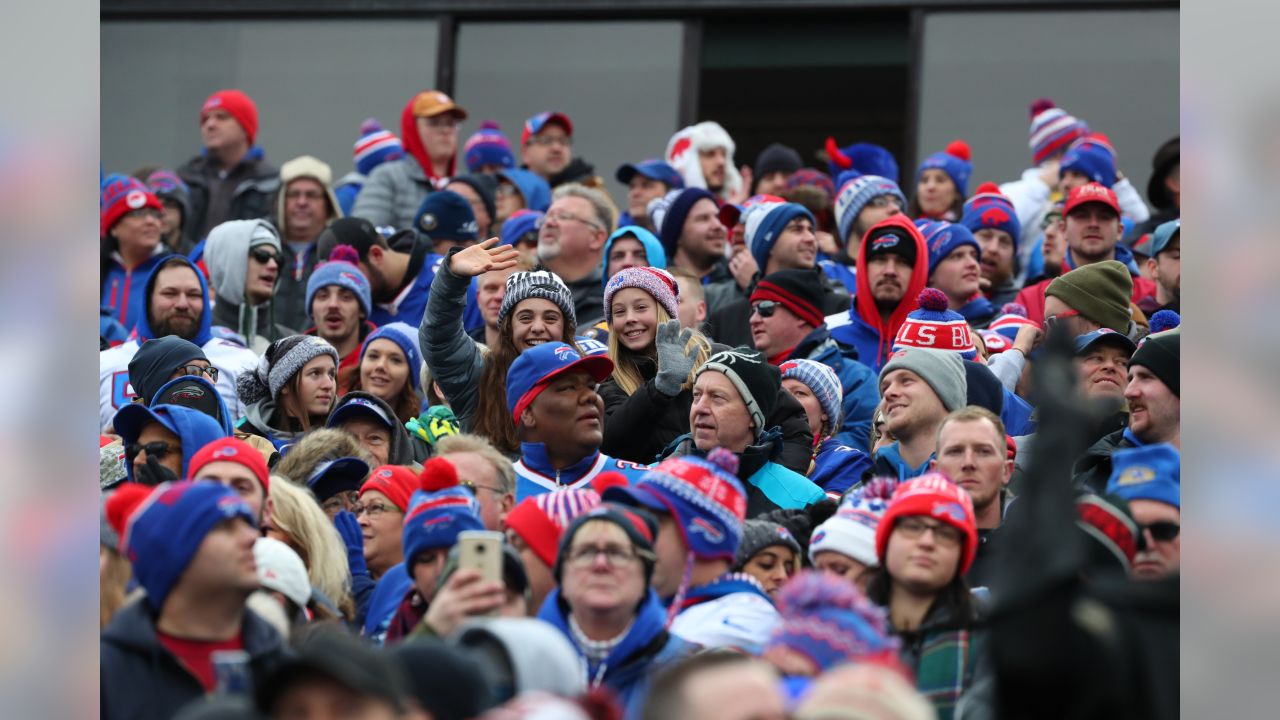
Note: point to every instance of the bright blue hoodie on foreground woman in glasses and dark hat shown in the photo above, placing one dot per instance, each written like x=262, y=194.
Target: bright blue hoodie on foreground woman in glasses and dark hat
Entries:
x=629, y=667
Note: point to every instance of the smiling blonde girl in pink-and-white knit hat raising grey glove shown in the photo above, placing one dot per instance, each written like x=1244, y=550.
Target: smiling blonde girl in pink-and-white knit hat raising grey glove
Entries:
x=647, y=400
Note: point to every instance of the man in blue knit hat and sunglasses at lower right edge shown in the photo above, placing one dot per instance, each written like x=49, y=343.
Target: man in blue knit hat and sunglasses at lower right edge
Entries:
x=1150, y=480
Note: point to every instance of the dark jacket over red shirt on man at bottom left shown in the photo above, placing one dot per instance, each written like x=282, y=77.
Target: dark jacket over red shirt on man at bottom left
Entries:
x=141, y=680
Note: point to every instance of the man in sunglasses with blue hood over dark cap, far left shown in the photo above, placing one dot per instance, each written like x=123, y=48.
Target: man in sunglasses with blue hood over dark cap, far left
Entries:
x=159, y=443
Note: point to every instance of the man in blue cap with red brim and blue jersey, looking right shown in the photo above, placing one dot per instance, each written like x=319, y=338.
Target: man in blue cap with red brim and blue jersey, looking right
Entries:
x=560, y=420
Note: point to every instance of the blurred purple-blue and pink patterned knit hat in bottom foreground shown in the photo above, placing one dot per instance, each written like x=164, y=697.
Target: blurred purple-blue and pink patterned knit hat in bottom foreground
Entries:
x=830, y=622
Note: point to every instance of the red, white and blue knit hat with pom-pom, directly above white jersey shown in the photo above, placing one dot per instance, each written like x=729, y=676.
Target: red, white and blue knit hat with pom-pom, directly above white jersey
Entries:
x=703, y=496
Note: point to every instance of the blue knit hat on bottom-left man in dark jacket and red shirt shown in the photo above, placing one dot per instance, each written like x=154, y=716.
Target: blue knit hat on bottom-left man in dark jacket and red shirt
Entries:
x=166, y=532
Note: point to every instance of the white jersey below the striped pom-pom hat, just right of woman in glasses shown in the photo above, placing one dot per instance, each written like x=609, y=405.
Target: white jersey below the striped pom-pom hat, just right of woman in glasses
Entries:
x=744, y=621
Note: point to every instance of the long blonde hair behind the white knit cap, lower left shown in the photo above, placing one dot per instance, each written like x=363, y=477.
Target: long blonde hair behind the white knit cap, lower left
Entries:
x=298, y=514
